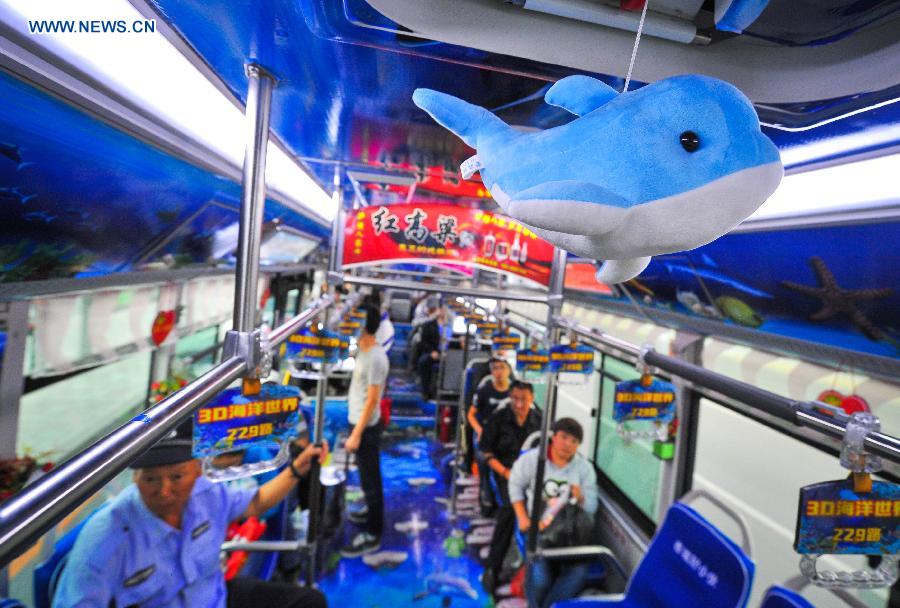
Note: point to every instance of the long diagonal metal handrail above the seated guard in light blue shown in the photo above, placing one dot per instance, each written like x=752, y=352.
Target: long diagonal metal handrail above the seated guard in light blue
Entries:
x=25, y=517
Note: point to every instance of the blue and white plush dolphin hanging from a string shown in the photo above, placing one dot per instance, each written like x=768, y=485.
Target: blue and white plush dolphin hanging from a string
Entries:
x=665, y=168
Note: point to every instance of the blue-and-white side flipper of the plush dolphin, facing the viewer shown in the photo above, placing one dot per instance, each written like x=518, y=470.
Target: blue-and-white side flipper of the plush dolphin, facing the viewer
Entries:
x=567, y=206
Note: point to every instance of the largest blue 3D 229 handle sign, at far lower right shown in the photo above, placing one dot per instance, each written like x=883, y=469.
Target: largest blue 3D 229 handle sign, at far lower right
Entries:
x=834, y=519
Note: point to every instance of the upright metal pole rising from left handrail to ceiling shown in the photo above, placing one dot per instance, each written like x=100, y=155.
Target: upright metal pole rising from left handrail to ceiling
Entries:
x=253, y=197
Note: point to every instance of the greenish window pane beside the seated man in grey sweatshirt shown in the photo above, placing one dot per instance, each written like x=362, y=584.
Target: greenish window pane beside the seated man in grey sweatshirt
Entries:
x=630, y=465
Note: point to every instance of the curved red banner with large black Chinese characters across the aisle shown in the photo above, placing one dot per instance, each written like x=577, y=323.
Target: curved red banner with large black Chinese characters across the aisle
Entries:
x=446, y=233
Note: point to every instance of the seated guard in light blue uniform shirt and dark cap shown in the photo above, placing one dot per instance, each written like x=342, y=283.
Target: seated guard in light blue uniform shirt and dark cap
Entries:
x=156, y=545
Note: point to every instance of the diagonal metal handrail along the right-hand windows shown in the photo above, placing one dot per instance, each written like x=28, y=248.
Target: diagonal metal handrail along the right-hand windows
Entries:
x=796, y=412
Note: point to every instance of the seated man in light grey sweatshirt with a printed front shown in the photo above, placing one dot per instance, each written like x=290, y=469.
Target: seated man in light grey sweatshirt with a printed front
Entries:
x=567, y=476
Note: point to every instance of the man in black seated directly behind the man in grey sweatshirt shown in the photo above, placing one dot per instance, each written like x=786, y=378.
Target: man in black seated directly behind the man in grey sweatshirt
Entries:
x=501, y=442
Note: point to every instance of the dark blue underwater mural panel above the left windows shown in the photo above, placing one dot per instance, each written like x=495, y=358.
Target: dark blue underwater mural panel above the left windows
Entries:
x=78, y=197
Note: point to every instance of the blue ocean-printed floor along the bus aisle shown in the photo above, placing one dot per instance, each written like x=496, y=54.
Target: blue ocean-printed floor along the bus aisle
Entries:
x=429, y=578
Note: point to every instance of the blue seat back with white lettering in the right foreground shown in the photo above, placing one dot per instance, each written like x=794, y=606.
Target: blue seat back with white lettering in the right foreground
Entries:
x=689, y=563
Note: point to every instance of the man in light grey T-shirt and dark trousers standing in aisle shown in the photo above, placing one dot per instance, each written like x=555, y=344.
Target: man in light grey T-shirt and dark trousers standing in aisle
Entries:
x=366, y=387
